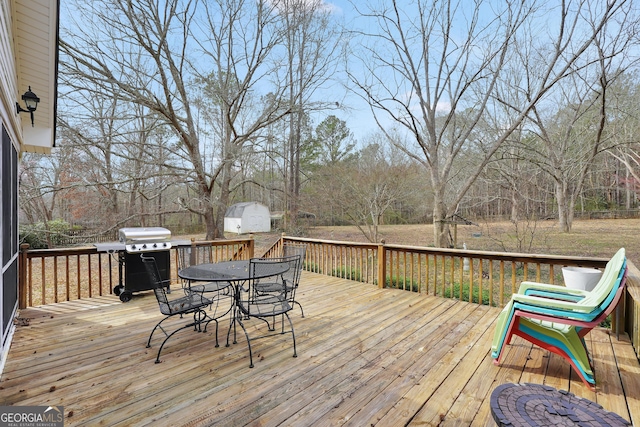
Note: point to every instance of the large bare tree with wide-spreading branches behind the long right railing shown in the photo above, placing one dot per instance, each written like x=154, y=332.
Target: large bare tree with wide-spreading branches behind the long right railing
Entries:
x=439, y=69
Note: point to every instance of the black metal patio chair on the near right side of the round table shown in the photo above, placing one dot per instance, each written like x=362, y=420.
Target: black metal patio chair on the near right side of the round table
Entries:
x=265, y=304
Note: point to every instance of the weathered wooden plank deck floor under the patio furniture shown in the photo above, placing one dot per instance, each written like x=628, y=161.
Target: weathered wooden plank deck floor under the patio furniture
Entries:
x=365, y=357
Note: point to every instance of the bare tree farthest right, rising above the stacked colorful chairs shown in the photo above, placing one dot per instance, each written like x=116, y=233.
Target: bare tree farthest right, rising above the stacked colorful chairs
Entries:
x=575, y=134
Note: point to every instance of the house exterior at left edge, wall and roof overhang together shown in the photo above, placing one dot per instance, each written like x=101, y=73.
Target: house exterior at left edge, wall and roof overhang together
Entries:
x=28, y=57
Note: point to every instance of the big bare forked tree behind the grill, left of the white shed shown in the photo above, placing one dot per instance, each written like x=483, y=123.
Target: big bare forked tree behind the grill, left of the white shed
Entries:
x=158, y=54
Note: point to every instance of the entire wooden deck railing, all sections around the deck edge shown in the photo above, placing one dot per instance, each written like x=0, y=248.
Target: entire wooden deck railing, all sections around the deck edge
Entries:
x=481, y=277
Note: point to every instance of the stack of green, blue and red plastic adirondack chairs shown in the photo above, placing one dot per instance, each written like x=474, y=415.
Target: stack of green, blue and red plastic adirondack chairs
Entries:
x=557, y=318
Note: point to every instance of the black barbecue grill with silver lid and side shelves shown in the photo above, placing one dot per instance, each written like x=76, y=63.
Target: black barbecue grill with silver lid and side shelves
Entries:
x=133, y=241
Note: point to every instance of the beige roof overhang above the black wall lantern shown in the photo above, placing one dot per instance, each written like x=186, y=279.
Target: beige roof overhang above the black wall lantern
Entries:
x=36, y=24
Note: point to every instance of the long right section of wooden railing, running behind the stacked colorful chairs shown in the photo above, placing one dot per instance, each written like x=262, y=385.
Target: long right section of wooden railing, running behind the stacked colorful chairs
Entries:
x=453, y=273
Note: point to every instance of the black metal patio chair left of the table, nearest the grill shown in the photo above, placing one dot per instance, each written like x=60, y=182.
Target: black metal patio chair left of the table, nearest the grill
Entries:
x=192, y=303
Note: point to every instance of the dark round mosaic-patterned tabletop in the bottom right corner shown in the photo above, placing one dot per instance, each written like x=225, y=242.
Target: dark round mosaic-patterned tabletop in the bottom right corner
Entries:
x=539, y=405
